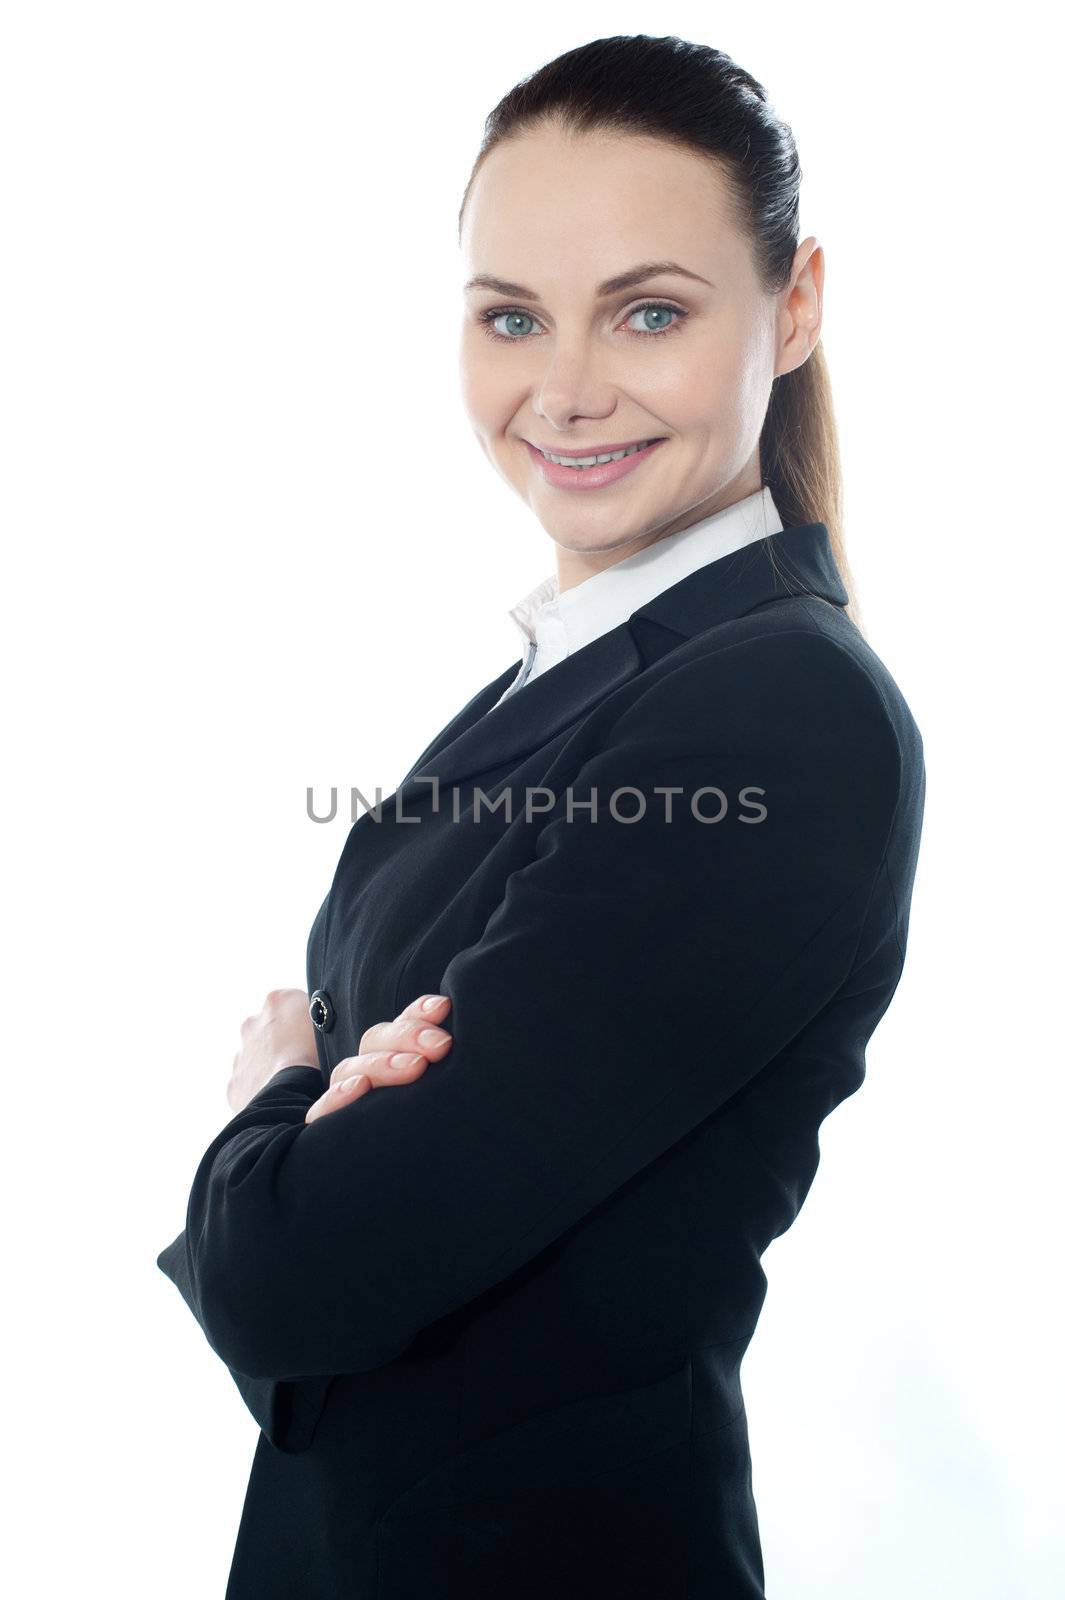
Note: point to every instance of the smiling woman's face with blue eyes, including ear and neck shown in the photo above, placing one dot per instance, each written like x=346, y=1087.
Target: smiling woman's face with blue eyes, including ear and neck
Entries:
x=556, y=358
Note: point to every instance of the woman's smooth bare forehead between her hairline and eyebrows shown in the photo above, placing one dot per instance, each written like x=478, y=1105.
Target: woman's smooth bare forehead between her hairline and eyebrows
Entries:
x=594, y=204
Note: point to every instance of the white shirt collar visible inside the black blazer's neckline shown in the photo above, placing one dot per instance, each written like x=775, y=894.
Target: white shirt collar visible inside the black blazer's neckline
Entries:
x=554, y=625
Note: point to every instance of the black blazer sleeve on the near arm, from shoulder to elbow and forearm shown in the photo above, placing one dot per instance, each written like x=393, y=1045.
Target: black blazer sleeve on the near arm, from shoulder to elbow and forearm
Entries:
x=639, y=972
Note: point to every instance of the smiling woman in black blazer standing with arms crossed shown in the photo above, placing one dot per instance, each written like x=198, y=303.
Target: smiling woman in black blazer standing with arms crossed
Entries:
x=492, y=1322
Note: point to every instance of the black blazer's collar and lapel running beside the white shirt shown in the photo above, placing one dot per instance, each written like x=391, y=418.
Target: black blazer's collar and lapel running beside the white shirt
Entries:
x=484, y=735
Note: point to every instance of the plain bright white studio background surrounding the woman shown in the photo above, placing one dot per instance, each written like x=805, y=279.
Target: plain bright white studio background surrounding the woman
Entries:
x=252, y=545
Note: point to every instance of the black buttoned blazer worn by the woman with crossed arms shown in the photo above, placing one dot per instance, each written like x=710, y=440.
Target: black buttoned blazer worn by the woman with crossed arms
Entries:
x=492, y=1321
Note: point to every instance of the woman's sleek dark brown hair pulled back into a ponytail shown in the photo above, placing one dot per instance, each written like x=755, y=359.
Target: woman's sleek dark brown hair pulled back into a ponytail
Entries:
x=701, y=100
